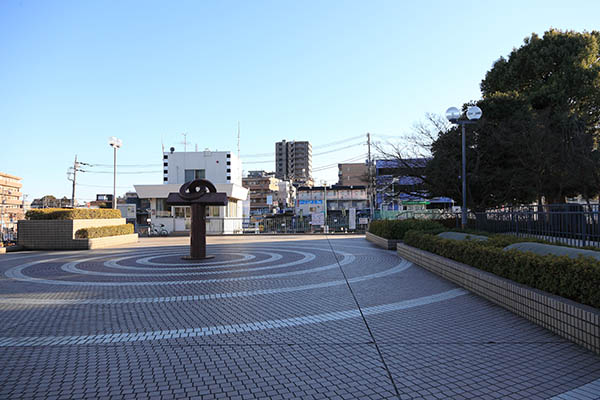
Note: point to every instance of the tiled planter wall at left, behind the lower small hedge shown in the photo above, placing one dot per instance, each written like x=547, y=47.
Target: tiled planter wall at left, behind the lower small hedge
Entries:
x=58, y=234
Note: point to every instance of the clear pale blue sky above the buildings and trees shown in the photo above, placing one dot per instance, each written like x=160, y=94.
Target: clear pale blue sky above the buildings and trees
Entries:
x=73, y=73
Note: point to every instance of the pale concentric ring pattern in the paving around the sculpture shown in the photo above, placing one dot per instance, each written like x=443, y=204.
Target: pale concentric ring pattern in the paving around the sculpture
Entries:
x=279, y=266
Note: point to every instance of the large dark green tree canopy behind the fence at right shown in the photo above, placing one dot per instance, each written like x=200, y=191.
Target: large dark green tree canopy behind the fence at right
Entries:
x=540, y=127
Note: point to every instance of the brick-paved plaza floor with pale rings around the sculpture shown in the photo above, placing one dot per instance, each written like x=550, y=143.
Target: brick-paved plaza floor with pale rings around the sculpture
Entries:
x=268, y=317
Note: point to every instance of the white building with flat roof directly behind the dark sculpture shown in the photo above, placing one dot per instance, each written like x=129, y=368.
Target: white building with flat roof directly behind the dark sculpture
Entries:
x=221, y=168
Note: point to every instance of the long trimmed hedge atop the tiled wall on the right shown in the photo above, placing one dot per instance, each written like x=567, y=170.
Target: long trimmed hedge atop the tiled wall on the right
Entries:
x=575, y=279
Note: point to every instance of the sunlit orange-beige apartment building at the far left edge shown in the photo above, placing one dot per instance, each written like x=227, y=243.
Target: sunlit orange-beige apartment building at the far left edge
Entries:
x=11, y=204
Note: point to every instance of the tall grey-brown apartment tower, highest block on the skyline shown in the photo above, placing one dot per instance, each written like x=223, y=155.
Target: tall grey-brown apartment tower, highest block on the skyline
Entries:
x=293, y=161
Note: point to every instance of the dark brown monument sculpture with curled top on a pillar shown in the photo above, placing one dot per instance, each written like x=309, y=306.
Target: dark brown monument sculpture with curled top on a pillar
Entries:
x=197, y=194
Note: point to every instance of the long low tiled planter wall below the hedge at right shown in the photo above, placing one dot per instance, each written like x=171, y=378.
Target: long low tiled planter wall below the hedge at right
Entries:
x=573, y=321
